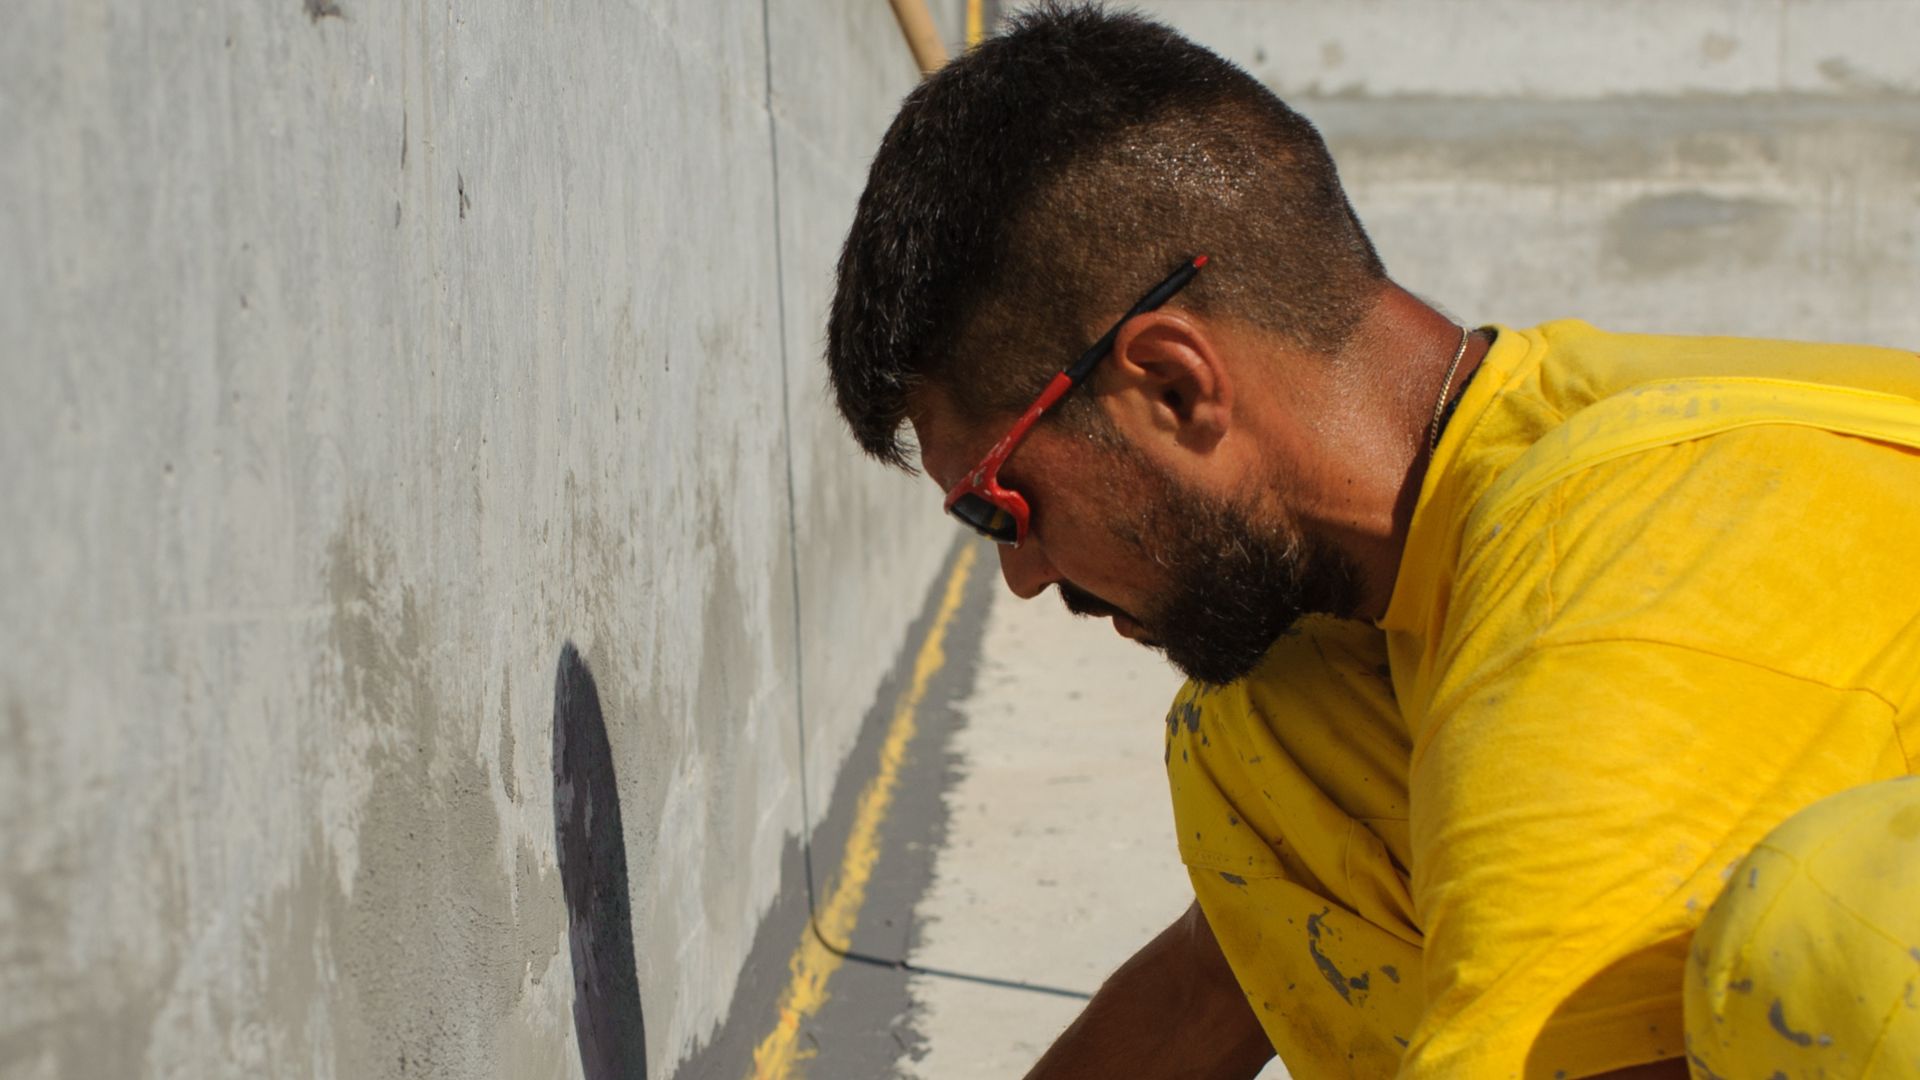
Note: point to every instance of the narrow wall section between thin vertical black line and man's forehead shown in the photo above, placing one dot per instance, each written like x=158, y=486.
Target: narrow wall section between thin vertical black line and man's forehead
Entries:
x=861, y=539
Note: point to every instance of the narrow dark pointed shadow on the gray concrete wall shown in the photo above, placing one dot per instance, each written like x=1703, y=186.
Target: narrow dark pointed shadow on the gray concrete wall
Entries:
x=600, y=920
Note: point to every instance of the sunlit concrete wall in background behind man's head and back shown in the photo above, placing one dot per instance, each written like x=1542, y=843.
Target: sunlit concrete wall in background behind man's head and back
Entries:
x=1683, y=166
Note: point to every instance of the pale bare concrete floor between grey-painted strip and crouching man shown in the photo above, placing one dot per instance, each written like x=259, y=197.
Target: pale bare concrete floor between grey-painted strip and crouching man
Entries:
x=1059, y=854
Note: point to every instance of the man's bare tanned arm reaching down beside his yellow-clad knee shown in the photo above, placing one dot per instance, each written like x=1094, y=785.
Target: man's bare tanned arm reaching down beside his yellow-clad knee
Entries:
x=1172, y=1012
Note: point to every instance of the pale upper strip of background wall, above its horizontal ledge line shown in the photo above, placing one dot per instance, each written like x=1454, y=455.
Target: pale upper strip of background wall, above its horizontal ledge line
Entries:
x=1562, y=49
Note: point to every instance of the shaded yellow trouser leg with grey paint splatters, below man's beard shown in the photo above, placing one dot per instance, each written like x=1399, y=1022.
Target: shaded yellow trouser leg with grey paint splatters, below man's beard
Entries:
x=1295, y=837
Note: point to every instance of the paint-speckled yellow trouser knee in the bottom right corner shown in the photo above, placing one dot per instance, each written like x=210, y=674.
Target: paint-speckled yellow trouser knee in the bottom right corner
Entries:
x=1810, y=964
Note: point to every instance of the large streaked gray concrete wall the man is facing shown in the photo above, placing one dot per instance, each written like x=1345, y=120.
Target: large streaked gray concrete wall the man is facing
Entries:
x=352, y=358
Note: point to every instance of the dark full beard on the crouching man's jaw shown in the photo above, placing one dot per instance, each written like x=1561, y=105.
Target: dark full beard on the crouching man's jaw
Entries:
x=1234, y=585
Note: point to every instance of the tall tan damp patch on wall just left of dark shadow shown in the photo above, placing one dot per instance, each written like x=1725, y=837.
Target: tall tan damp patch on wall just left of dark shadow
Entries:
x=435, y=937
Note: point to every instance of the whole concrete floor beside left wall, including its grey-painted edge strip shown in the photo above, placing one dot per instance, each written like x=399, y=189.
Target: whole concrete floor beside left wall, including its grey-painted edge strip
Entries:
x=1030, y=852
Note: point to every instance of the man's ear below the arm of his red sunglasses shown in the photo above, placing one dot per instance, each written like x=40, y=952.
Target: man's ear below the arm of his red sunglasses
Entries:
x=1166, y=381
